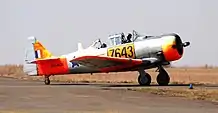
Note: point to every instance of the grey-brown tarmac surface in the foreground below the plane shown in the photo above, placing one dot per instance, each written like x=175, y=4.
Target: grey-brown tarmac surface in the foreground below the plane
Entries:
x=19, y=96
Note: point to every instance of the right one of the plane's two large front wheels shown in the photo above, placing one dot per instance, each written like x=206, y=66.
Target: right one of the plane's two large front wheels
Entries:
x=163, y=78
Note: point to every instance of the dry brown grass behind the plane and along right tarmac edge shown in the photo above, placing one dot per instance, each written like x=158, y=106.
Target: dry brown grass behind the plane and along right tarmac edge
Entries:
x=180, y=76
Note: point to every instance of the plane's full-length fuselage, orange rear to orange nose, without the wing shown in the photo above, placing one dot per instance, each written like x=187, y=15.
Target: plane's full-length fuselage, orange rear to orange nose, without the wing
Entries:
x=165, y=48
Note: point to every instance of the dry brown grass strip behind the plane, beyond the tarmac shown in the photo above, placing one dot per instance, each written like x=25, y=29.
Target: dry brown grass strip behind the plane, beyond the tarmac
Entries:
x=178, y=75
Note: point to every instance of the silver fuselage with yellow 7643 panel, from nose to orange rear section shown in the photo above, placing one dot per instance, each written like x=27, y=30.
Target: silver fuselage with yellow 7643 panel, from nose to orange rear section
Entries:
x=167, y=48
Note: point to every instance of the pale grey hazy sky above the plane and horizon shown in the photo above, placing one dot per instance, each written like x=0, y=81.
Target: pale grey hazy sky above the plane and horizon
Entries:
x=61, y=24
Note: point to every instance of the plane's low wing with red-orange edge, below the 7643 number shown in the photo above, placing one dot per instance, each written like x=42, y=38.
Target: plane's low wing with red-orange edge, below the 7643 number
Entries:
x=108, y=64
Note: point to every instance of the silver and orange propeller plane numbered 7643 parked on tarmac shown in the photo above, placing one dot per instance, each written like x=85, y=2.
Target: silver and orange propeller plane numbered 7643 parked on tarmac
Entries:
x=135, y=53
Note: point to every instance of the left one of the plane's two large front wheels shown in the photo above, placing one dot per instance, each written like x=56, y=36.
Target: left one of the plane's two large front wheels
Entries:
x=144, y=79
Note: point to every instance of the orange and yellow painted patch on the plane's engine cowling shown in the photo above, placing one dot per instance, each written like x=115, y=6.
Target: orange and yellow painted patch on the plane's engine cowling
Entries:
x=170, y=53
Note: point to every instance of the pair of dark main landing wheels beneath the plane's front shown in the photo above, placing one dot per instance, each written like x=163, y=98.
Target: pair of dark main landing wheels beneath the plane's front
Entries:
x=162, y=79
